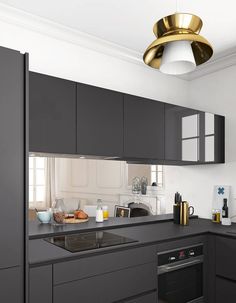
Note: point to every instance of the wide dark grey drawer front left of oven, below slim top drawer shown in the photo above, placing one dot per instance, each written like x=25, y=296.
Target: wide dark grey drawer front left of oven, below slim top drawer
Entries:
x=109, y=287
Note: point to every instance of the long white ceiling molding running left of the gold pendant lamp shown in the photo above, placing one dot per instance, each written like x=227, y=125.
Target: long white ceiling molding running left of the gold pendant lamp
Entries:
x=55, y=30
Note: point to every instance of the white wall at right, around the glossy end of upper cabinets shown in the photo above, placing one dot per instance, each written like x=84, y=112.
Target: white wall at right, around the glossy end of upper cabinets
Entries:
x=215, y=93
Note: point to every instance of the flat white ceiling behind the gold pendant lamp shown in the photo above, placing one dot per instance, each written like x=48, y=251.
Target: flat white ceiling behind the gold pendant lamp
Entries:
x=129, y=23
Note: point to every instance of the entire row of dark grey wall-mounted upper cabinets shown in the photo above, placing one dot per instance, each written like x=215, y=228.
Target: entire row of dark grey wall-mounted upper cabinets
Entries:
x=74, y=118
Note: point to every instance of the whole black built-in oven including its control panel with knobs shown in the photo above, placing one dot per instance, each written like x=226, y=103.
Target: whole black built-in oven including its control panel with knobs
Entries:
x=180, y=275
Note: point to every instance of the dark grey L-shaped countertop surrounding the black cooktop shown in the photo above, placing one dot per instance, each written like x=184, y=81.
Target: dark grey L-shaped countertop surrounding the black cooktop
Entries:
x=150, y=231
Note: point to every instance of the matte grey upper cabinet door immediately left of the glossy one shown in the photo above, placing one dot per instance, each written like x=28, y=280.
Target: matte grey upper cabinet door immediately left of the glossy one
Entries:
x=143, y=128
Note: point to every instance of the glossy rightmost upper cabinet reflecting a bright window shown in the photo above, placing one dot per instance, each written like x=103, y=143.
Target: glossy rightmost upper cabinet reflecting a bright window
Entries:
x=193, y=136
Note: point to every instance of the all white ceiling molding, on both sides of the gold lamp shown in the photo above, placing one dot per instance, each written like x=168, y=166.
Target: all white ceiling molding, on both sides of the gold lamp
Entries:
x=55, y=30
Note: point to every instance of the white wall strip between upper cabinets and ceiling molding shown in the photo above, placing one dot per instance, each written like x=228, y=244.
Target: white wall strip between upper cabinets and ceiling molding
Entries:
x=70, y=61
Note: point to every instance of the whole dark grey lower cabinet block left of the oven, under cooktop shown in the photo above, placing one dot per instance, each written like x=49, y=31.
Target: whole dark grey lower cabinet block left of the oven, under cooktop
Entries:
x=128, y=275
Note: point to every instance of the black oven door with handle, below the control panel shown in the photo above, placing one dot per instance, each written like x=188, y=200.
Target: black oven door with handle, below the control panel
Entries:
x=181, y=282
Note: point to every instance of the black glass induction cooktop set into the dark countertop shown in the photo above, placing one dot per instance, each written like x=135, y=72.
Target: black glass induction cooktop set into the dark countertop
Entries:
x=87, y=241
